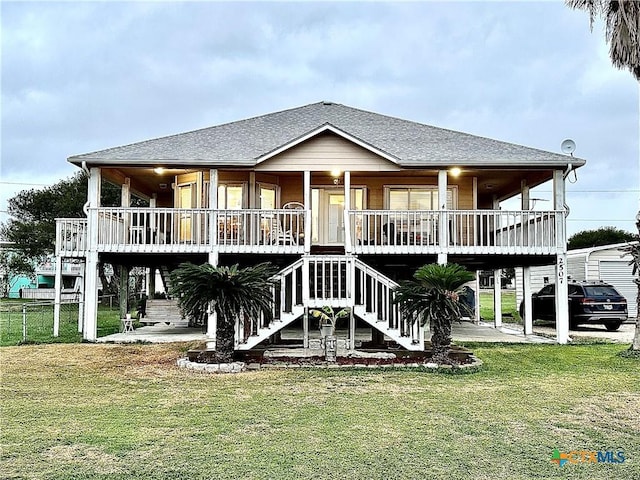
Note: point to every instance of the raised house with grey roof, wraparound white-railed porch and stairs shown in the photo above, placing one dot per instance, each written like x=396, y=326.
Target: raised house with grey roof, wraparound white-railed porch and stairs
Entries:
x=345, y=201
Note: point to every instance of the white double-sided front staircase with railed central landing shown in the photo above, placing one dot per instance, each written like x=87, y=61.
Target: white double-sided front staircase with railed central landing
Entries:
x=339, y=281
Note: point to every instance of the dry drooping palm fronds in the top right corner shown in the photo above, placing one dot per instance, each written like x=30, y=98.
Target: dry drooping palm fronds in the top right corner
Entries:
x=622, y=29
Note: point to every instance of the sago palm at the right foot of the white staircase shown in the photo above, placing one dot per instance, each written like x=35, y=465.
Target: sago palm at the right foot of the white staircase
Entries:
x=433, y=298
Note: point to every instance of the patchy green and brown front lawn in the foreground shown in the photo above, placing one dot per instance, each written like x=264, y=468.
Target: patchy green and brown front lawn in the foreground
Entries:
x=89, y=411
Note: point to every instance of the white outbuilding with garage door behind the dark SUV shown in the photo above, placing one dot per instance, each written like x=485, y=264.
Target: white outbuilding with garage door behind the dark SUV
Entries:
x=606, y=263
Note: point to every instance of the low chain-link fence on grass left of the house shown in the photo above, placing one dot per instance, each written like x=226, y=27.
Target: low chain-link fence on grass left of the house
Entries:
x=32, y=321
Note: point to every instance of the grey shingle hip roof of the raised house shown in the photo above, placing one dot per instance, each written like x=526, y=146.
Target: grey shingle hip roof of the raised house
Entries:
x=244, y=142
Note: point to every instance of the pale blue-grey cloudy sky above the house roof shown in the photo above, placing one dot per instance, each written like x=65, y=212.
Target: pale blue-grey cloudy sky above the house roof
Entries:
x=83, y=76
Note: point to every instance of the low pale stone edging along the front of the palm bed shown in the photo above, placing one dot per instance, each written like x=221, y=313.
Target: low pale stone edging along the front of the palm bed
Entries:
x=238, y=367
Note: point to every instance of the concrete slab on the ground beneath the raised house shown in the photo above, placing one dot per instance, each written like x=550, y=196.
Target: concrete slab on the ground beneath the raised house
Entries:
x=461, y=332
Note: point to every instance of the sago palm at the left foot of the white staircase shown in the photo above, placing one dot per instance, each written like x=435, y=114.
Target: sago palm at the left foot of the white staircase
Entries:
x=229, y=291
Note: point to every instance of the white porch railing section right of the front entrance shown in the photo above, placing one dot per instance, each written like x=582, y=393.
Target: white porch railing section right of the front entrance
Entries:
x=457, y=231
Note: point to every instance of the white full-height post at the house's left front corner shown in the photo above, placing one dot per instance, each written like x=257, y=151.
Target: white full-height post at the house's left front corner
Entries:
x=91, y=272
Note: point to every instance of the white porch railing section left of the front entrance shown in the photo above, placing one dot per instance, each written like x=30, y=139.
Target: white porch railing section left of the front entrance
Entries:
x=171, y=230
